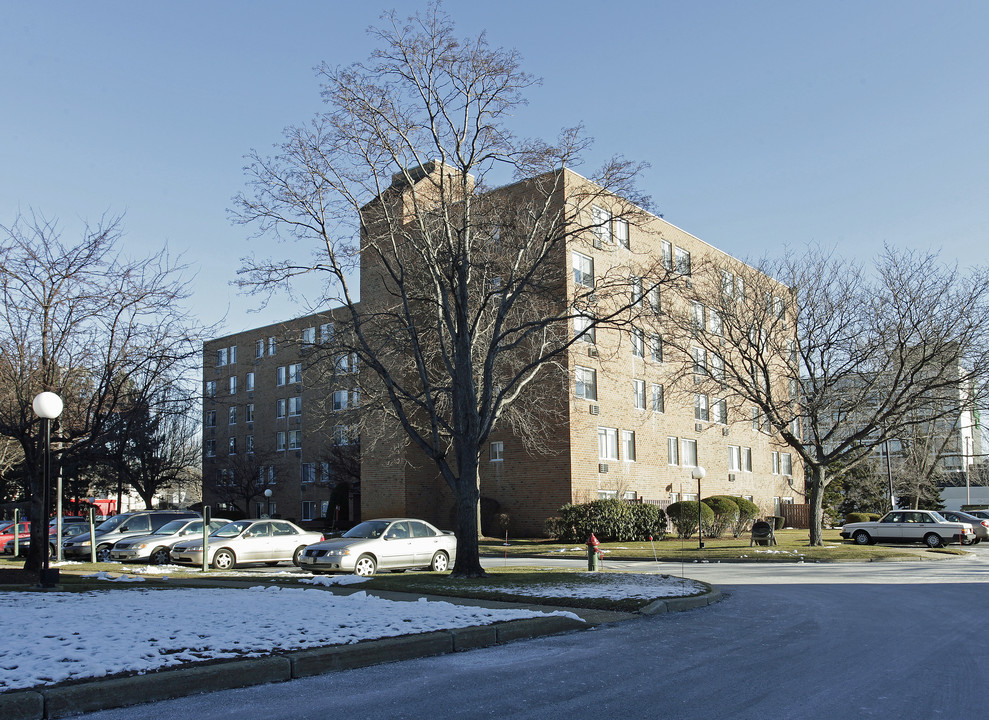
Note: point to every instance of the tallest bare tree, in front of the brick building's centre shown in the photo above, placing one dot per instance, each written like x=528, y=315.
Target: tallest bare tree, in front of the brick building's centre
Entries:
x=464, y=316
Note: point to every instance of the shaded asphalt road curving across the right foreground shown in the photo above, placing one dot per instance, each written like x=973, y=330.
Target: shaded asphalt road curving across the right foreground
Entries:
x=868, y=640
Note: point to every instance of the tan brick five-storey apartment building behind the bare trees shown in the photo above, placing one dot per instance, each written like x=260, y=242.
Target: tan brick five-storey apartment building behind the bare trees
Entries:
x=634, y=423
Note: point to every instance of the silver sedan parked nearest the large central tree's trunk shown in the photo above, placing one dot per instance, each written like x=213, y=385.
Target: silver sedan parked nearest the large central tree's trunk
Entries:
x=386, y=544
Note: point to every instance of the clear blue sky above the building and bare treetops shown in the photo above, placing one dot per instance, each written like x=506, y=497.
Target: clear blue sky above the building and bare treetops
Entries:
x=766, y=123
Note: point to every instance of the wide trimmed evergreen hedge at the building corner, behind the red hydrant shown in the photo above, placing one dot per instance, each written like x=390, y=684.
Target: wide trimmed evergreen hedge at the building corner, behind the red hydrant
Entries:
x=609, y=520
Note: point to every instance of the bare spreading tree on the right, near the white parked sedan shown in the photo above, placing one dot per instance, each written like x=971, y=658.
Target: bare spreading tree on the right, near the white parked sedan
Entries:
x=835, y=361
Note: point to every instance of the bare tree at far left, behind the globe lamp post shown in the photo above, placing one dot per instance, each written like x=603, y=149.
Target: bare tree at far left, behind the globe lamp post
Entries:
x=83, y=322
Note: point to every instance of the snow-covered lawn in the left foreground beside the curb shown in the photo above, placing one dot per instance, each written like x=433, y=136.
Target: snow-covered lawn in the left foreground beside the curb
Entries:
x=56, y=636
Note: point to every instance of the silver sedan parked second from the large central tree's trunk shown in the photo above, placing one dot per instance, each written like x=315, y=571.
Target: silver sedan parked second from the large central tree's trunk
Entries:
x=248, y=541
